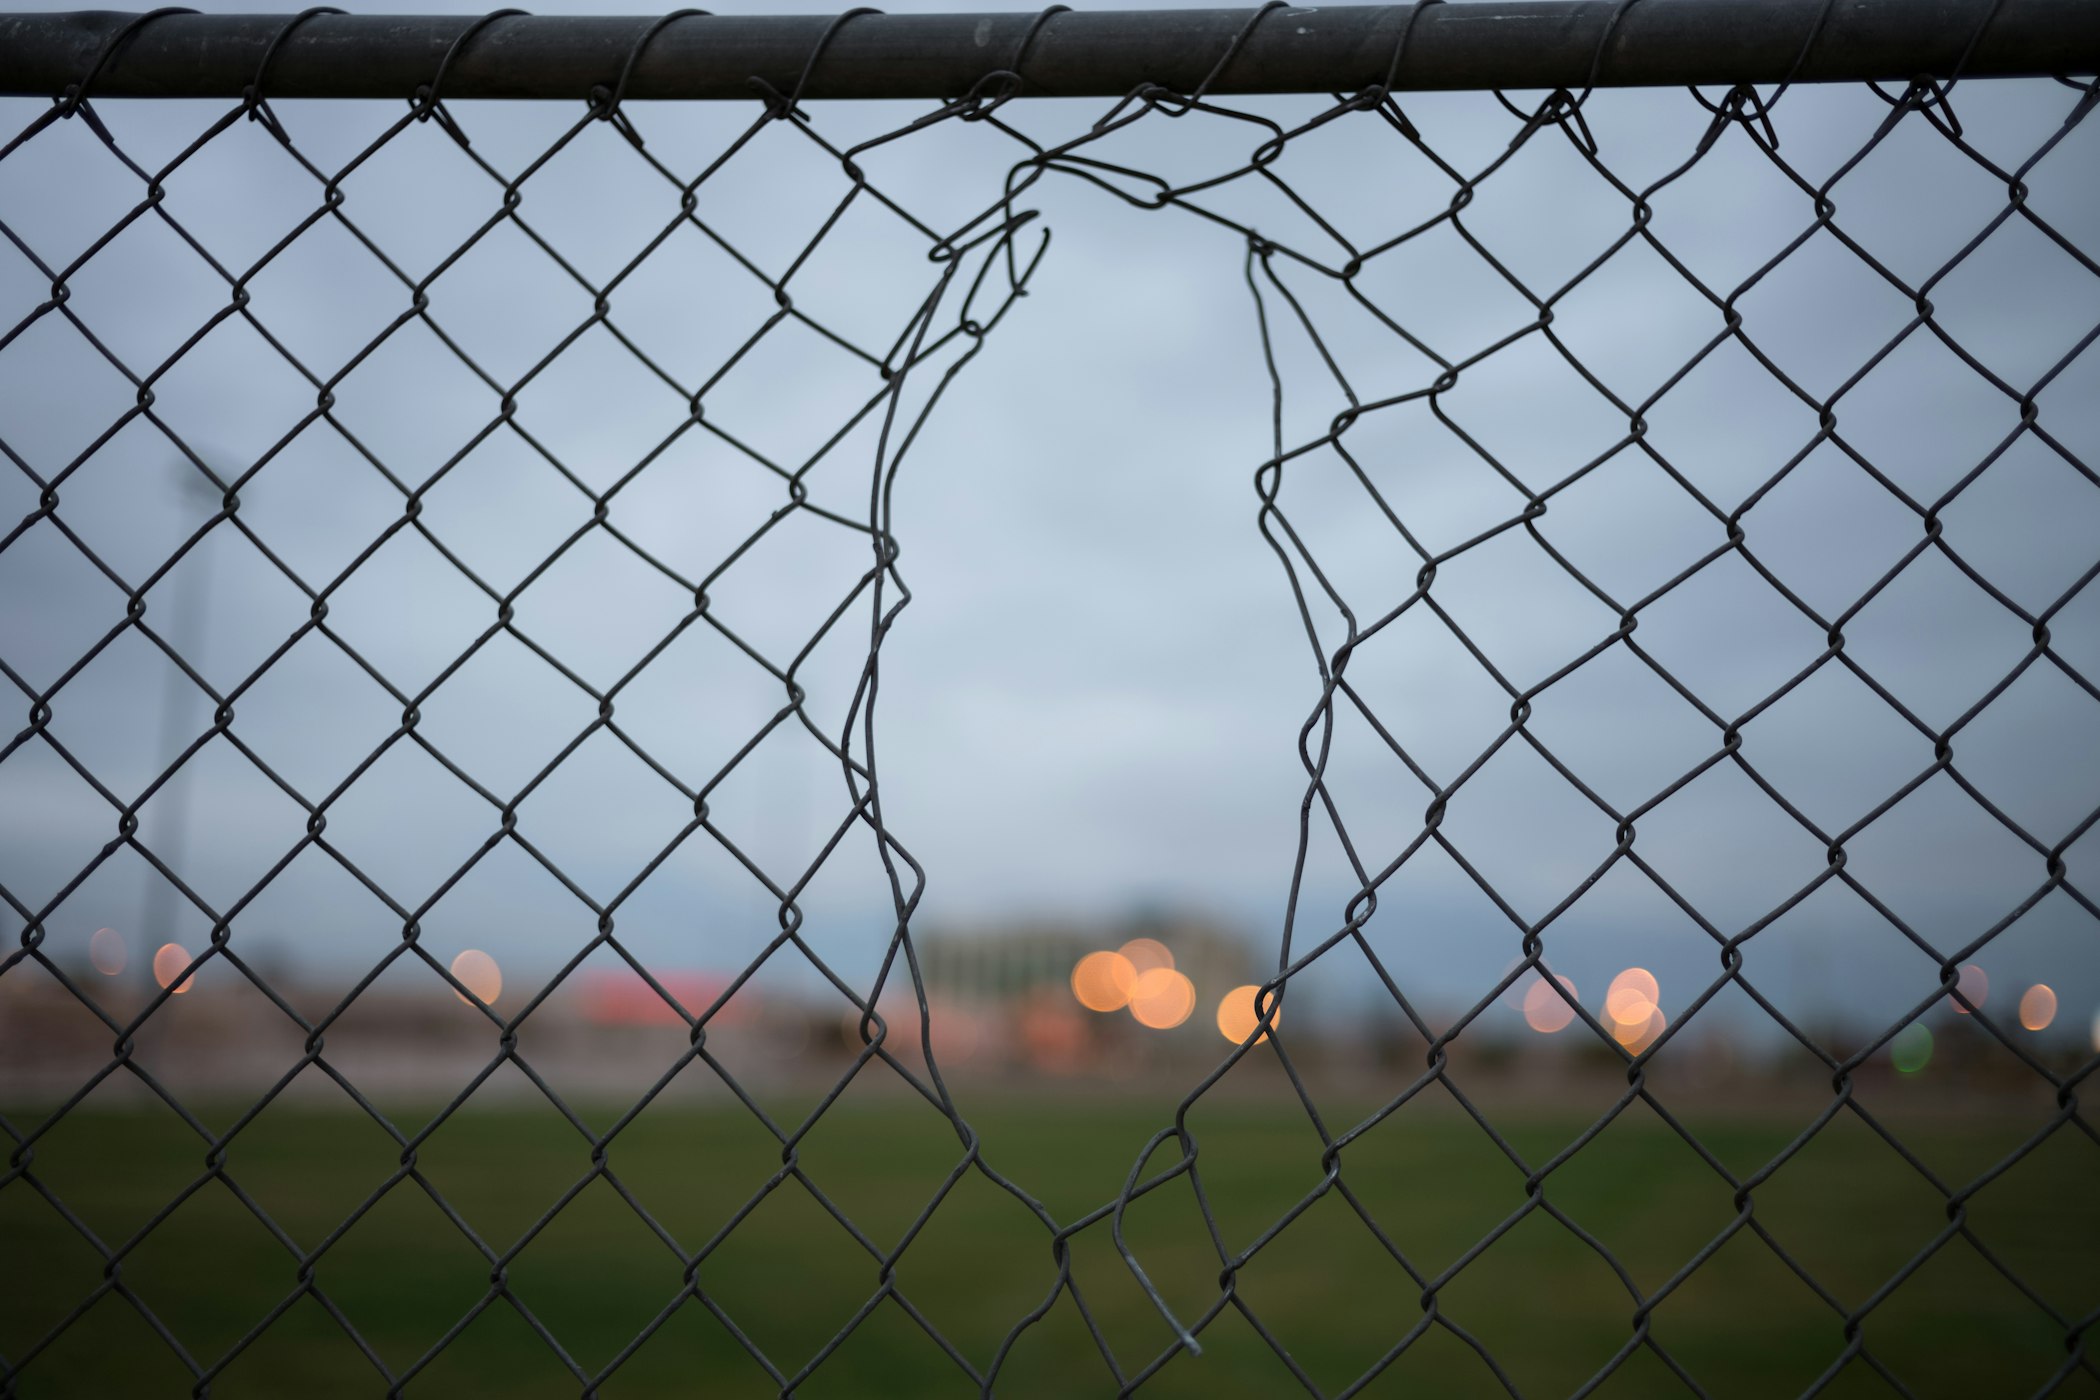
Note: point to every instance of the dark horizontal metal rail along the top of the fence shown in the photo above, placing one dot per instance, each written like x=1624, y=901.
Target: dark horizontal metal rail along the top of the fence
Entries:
x=1074, y=54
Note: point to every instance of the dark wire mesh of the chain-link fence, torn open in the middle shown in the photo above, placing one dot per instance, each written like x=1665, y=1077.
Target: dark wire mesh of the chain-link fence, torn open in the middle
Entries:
x=980, y=272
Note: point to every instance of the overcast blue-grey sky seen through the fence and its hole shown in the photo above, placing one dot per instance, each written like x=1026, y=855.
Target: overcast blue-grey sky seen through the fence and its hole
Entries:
x=1093, y=702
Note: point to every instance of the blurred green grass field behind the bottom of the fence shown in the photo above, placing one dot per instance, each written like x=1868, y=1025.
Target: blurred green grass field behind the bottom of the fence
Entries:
x=1540, y=1300
